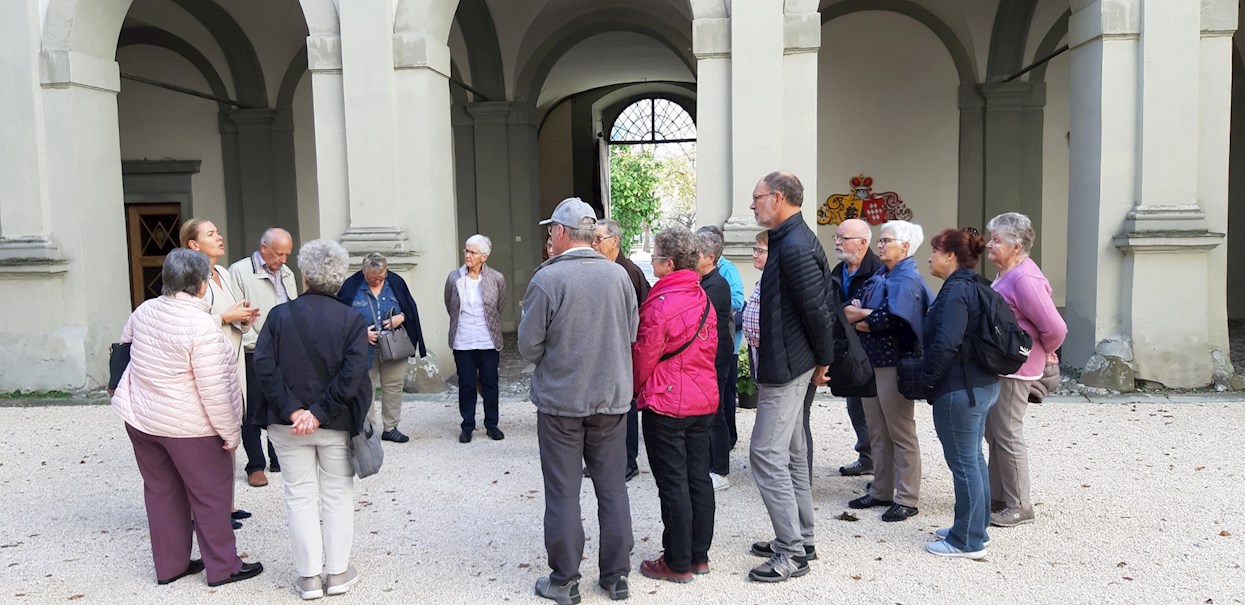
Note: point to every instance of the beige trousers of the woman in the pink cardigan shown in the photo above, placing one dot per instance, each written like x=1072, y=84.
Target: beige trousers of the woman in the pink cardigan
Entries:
x=1009, y=454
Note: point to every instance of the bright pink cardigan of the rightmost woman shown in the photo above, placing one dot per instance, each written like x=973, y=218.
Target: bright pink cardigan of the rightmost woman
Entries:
x=1029, y=294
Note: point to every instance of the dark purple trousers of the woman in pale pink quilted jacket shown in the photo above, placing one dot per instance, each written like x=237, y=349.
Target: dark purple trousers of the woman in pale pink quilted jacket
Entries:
x=189, y=489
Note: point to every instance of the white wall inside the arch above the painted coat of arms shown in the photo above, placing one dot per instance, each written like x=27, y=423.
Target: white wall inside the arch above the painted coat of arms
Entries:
x=888, y=108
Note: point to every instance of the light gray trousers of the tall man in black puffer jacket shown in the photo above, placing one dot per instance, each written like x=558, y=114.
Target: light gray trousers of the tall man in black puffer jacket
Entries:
x=780, y=465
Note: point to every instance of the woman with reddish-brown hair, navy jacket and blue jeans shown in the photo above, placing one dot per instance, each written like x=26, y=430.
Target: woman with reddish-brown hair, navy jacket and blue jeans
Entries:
x=961, y=392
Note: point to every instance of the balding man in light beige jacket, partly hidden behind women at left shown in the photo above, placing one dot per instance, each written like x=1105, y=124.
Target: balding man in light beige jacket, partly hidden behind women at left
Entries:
x=265, y=281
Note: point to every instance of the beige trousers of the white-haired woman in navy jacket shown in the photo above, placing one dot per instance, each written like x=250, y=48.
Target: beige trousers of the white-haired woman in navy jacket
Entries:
x=897, y=456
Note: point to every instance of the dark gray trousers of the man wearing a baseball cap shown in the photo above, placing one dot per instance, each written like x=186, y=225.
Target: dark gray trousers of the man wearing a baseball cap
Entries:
x=601, y=443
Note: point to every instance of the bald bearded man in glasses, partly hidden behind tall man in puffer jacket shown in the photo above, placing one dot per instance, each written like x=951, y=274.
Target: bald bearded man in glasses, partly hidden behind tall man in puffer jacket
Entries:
x=857, y=265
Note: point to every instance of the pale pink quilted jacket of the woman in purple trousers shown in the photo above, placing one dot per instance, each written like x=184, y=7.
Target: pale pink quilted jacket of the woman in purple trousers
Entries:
x=182, y=380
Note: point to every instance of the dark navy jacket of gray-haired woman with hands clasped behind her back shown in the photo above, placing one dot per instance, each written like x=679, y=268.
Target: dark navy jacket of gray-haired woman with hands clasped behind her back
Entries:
x=313, y=355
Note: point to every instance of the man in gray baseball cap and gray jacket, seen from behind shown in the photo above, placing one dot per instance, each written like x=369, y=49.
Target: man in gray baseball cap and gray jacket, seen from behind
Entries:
x=580, y=321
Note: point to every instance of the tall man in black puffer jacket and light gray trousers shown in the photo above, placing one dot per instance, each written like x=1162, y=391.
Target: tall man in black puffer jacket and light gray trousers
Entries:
x=797, y=347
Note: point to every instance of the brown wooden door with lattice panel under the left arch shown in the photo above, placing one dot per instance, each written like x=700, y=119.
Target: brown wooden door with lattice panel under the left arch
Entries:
x=151, y=231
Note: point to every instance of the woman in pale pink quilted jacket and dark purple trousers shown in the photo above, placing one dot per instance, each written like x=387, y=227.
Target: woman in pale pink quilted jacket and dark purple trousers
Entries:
x=182, y=406
